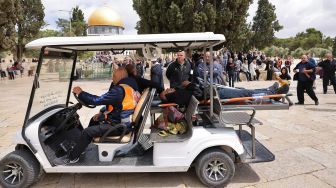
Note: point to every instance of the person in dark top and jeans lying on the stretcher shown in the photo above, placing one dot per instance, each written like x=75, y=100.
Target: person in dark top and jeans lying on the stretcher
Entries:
x=182, y=96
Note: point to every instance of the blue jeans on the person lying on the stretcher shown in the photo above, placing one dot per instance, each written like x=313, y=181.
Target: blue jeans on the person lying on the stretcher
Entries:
x=228, y=92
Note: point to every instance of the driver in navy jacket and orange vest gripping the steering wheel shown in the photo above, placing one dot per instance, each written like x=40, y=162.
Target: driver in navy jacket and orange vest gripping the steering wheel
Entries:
x=120, y=102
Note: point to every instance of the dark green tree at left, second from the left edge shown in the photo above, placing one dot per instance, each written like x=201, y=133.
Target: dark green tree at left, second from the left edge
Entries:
x=29, y=23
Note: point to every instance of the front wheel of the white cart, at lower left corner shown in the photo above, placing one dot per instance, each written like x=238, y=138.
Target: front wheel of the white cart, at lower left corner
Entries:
x=18, y=169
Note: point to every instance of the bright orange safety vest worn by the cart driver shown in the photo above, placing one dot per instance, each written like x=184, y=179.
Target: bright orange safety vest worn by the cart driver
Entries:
x=130, y=100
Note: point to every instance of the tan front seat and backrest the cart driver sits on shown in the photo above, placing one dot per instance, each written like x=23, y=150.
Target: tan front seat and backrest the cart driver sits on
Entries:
x=135, y=122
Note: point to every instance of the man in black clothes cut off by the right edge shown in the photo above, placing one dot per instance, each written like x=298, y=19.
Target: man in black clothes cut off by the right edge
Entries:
x=329, y=68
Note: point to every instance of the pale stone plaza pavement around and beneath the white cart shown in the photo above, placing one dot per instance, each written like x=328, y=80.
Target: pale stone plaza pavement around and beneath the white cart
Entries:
x=302, y=138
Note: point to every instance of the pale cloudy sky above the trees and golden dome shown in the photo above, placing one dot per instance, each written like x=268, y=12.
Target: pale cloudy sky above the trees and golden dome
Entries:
x=295, y=15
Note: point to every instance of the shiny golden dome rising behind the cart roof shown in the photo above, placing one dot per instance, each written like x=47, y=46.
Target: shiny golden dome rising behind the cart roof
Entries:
x=105, y=16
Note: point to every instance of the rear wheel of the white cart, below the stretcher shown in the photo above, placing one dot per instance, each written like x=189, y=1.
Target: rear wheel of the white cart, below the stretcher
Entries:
x=215, y=168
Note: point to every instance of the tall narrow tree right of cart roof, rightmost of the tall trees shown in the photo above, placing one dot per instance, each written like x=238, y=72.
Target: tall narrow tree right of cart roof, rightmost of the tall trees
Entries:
x=265, y=24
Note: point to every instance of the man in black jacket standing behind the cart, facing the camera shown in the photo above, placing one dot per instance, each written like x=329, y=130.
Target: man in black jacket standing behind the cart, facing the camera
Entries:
x=179, y=71
